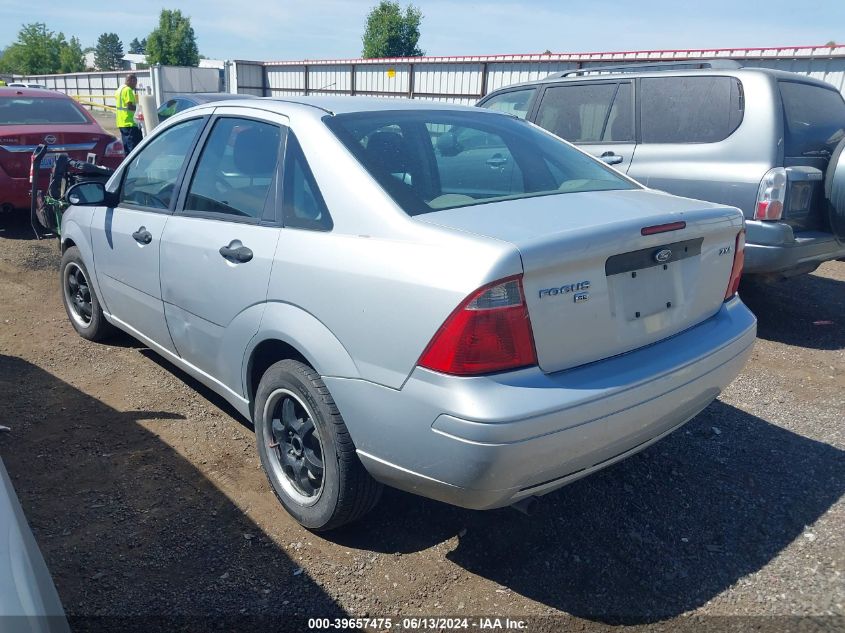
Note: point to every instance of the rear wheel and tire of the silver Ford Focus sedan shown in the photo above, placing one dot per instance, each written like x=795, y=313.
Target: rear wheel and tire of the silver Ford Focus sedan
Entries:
x=306, y=451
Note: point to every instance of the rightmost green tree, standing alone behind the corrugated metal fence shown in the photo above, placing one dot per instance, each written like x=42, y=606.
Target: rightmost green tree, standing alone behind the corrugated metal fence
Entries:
x=392, y=33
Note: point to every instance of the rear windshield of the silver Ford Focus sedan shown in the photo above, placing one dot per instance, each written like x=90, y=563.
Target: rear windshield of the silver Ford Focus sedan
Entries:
x=428, y=160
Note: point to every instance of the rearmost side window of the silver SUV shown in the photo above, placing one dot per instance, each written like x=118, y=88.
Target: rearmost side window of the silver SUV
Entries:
x=689, y=109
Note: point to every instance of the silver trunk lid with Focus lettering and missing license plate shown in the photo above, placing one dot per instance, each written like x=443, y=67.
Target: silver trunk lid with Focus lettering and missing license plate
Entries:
x=595, y=285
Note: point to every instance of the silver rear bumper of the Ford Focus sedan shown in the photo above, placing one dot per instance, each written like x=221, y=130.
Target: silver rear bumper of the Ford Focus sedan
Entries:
x=487, y=442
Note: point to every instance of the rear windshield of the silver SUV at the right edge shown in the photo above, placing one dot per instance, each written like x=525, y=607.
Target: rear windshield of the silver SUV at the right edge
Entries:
x=814, y=119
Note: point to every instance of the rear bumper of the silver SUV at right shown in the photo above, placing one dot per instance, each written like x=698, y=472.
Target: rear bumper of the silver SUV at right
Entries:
x=773, y=248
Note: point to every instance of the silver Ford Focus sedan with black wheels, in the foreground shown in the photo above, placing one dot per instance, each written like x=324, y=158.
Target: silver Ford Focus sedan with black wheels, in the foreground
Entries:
x=440, y=298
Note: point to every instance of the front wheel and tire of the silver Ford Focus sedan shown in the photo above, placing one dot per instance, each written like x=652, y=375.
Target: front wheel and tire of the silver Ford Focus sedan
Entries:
x=80, y=300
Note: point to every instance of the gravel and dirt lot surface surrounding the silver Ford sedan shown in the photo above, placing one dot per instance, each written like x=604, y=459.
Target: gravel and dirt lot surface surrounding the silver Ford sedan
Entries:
x=146, y=496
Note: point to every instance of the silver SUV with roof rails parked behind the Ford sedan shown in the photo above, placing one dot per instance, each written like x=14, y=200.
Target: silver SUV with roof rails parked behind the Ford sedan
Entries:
x=760, y=140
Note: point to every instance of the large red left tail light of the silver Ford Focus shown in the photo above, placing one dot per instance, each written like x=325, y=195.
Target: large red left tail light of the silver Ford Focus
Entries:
x=489, y=332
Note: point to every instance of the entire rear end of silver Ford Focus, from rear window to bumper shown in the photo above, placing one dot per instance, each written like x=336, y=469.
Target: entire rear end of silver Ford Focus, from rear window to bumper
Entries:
x=621, y=323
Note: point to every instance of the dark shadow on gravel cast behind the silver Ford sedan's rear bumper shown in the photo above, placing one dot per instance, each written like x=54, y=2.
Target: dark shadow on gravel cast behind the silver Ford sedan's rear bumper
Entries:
x=647, y=539
